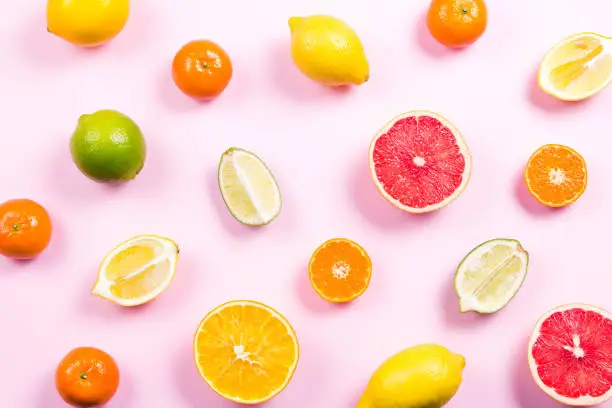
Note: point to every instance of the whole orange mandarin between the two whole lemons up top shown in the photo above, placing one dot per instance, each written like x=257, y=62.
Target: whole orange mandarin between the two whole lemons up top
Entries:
x=201, y=69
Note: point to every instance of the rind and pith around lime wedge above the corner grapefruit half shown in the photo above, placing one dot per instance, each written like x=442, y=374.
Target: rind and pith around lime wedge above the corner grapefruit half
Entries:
x=468, y=302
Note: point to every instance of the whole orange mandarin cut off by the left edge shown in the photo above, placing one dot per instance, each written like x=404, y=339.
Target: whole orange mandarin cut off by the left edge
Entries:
x=25, y=229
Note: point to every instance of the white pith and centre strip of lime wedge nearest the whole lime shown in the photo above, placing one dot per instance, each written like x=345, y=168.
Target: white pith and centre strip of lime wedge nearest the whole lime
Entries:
x=263, y=217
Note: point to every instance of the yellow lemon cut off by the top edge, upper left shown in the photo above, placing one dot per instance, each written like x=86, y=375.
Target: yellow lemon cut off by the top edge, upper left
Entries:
x=87, y=23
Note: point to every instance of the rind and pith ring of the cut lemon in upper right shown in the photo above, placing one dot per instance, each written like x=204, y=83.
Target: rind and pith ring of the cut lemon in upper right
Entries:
x=545, y=68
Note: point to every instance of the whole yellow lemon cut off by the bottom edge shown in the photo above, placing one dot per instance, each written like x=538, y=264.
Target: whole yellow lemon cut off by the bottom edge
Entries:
x=424, y=376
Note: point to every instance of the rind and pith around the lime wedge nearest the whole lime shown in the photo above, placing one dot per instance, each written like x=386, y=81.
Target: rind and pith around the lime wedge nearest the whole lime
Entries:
x=259, y=219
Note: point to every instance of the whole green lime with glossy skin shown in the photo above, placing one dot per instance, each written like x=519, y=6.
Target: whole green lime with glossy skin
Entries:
x=107, y=146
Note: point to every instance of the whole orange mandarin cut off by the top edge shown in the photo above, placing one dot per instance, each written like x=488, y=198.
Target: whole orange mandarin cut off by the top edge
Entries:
x=457, y=23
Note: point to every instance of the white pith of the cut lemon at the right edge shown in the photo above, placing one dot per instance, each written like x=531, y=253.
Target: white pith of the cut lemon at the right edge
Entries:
x=543, y=71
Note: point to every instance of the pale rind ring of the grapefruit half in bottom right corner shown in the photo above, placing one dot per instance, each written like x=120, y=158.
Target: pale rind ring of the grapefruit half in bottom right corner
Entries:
x=583, y=401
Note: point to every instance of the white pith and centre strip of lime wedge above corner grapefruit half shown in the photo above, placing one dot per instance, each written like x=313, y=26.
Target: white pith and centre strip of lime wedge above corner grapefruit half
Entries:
x=469, y=301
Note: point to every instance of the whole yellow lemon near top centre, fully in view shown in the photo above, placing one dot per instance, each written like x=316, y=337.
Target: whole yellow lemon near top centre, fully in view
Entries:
x=328, y=51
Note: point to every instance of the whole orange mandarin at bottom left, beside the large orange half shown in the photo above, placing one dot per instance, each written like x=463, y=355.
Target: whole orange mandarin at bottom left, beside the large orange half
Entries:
x=87, y=377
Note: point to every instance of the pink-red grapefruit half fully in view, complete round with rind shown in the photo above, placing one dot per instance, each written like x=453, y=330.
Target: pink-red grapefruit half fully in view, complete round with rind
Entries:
x=420, y=162
